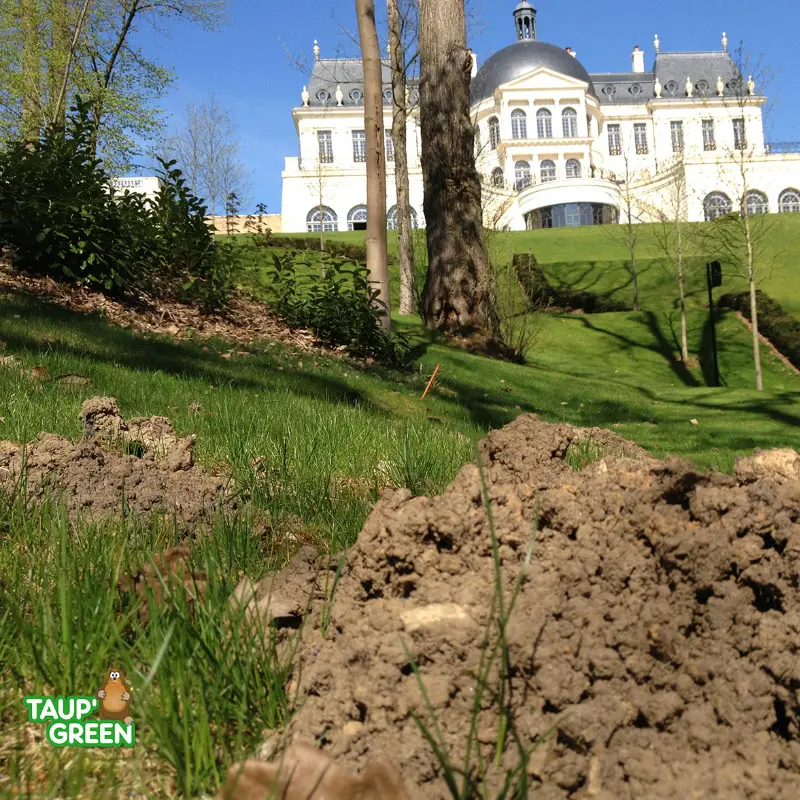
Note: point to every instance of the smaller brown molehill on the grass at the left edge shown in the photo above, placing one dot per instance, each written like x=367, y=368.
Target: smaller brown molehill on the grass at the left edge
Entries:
x=141, y=460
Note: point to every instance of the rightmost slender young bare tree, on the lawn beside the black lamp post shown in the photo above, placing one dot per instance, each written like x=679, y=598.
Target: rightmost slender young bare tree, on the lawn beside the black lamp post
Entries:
x=741, y=235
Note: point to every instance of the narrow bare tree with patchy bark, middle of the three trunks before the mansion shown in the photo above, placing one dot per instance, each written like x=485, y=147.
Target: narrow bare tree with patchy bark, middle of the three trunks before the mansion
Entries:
x=402, y=36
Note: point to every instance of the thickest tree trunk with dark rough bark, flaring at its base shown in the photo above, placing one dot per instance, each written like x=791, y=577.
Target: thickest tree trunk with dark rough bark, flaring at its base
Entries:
x=459, y=289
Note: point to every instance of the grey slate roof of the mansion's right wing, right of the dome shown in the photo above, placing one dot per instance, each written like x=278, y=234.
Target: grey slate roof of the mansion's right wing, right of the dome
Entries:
x=672, y=69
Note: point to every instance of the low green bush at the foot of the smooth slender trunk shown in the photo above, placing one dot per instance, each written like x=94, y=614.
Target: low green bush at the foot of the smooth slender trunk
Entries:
x=339, y=307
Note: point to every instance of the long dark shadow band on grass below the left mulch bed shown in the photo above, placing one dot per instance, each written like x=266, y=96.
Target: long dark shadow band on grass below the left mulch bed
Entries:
x=112, y=345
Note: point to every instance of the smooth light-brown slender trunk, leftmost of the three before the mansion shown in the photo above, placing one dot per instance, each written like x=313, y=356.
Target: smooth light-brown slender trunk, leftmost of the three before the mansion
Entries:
x=377, y=262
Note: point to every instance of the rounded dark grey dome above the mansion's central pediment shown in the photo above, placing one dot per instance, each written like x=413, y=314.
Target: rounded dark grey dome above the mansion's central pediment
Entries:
x=520, y=58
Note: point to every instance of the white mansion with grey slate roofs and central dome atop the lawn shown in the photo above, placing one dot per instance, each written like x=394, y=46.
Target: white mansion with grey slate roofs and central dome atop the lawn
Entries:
x=555, y=145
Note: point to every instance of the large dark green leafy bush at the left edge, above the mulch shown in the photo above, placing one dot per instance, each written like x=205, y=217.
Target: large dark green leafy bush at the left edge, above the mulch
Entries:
x=60, y=217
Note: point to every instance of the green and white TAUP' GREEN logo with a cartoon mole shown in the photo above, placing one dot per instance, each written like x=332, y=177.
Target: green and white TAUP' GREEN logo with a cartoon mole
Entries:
x=67, y=718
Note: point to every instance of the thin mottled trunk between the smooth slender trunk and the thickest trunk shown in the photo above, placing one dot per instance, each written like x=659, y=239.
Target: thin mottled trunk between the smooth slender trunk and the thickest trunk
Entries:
x=399, y=138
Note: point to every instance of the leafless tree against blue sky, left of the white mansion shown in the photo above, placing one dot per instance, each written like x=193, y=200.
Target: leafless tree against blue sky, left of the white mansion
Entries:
x=207, y=151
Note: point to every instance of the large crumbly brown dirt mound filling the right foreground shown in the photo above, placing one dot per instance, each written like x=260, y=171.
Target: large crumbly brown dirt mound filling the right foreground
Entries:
x=653, y=650
